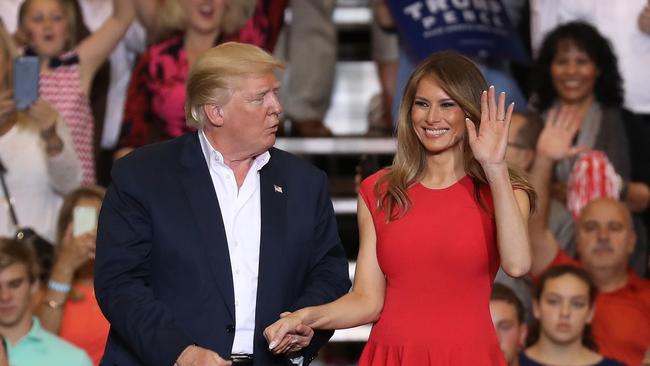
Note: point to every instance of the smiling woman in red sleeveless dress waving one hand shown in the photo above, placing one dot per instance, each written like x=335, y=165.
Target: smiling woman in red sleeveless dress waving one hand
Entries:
x=434, y=228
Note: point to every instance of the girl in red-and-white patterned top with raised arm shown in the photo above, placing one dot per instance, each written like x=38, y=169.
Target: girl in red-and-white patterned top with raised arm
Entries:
x=68, y=68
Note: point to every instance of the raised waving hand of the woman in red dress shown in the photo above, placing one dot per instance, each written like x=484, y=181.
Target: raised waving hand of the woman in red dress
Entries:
x=490, y=143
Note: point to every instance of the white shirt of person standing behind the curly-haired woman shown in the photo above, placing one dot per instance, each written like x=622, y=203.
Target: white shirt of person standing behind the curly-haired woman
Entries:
x=617, y=21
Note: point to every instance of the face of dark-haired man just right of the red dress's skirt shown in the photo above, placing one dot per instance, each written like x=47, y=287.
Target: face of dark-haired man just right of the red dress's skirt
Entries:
x=510, y=332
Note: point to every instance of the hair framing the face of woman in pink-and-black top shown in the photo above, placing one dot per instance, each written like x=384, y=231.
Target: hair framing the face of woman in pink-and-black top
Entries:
x=171, y=17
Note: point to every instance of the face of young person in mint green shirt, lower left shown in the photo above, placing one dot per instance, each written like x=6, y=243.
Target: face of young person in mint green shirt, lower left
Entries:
x=15, y=295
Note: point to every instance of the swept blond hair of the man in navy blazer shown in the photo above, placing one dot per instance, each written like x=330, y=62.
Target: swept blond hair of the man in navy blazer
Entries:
x=215, y=74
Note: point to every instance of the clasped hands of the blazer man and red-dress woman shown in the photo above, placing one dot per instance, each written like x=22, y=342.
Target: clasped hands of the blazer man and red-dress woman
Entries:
x=288, y=334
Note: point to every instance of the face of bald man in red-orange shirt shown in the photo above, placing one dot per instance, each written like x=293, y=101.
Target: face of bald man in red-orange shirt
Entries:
x=605, y=237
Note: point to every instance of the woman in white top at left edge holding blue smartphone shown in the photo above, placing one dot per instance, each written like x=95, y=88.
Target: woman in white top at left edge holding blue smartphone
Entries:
x=39, y=163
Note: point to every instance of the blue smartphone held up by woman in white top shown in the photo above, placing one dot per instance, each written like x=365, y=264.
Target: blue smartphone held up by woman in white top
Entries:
x=26, y=78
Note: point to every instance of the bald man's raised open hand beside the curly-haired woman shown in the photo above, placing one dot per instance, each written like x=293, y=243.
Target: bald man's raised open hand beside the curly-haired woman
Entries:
x=556, y=139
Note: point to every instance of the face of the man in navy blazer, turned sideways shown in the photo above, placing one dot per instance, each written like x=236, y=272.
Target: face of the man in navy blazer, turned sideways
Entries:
x=251, y=116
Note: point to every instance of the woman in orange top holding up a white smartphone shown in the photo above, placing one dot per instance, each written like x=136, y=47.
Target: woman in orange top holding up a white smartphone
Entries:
x=69, y=308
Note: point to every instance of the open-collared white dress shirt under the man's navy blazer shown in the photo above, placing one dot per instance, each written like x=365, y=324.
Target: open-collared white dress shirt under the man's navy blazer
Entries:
x=241, y=213
